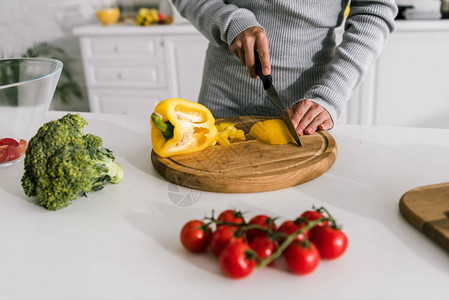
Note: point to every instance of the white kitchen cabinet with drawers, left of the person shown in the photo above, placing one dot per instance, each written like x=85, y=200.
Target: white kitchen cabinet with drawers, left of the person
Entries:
x=129, y=69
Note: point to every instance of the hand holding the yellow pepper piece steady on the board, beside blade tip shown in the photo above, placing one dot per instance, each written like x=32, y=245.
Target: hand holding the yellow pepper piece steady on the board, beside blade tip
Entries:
x=308, y=117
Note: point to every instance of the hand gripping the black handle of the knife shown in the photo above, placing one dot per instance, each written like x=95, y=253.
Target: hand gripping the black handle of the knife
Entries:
x=243, y=47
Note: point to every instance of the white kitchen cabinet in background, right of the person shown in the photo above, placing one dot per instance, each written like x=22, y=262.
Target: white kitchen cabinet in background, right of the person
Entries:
x=408, y=85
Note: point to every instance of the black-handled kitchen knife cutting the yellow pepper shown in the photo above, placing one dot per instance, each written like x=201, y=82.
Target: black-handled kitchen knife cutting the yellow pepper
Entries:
x=274, y=97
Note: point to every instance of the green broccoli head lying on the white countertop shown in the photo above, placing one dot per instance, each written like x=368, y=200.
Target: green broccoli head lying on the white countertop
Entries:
x=62, y=163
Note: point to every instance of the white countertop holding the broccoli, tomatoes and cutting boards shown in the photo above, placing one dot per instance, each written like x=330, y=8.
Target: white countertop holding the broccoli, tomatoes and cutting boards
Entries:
x=122, y=242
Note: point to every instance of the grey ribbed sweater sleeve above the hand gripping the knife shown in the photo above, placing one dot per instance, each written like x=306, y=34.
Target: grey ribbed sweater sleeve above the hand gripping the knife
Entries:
x=219, y=22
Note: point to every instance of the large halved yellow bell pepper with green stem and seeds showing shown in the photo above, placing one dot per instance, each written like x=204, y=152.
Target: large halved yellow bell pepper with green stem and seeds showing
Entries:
x=179, y=126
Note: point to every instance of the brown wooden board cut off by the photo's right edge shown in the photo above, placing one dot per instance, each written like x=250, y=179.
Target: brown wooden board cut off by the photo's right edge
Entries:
x=427, y=208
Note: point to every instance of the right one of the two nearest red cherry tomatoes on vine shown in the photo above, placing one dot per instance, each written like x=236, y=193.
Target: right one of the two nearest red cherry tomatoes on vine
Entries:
x=301, y=259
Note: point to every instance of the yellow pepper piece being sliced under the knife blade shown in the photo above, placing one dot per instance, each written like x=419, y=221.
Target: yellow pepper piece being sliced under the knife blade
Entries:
x=272, y=131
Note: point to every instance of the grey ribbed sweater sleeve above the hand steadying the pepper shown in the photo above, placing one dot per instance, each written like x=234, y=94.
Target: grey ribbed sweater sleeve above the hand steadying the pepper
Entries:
x=367, y=28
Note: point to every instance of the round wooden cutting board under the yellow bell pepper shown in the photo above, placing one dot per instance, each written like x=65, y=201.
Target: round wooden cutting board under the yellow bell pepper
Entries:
x=250, y=166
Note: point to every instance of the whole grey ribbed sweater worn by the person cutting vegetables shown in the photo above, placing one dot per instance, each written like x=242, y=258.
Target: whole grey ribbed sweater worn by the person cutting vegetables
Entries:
x=305, y=61
